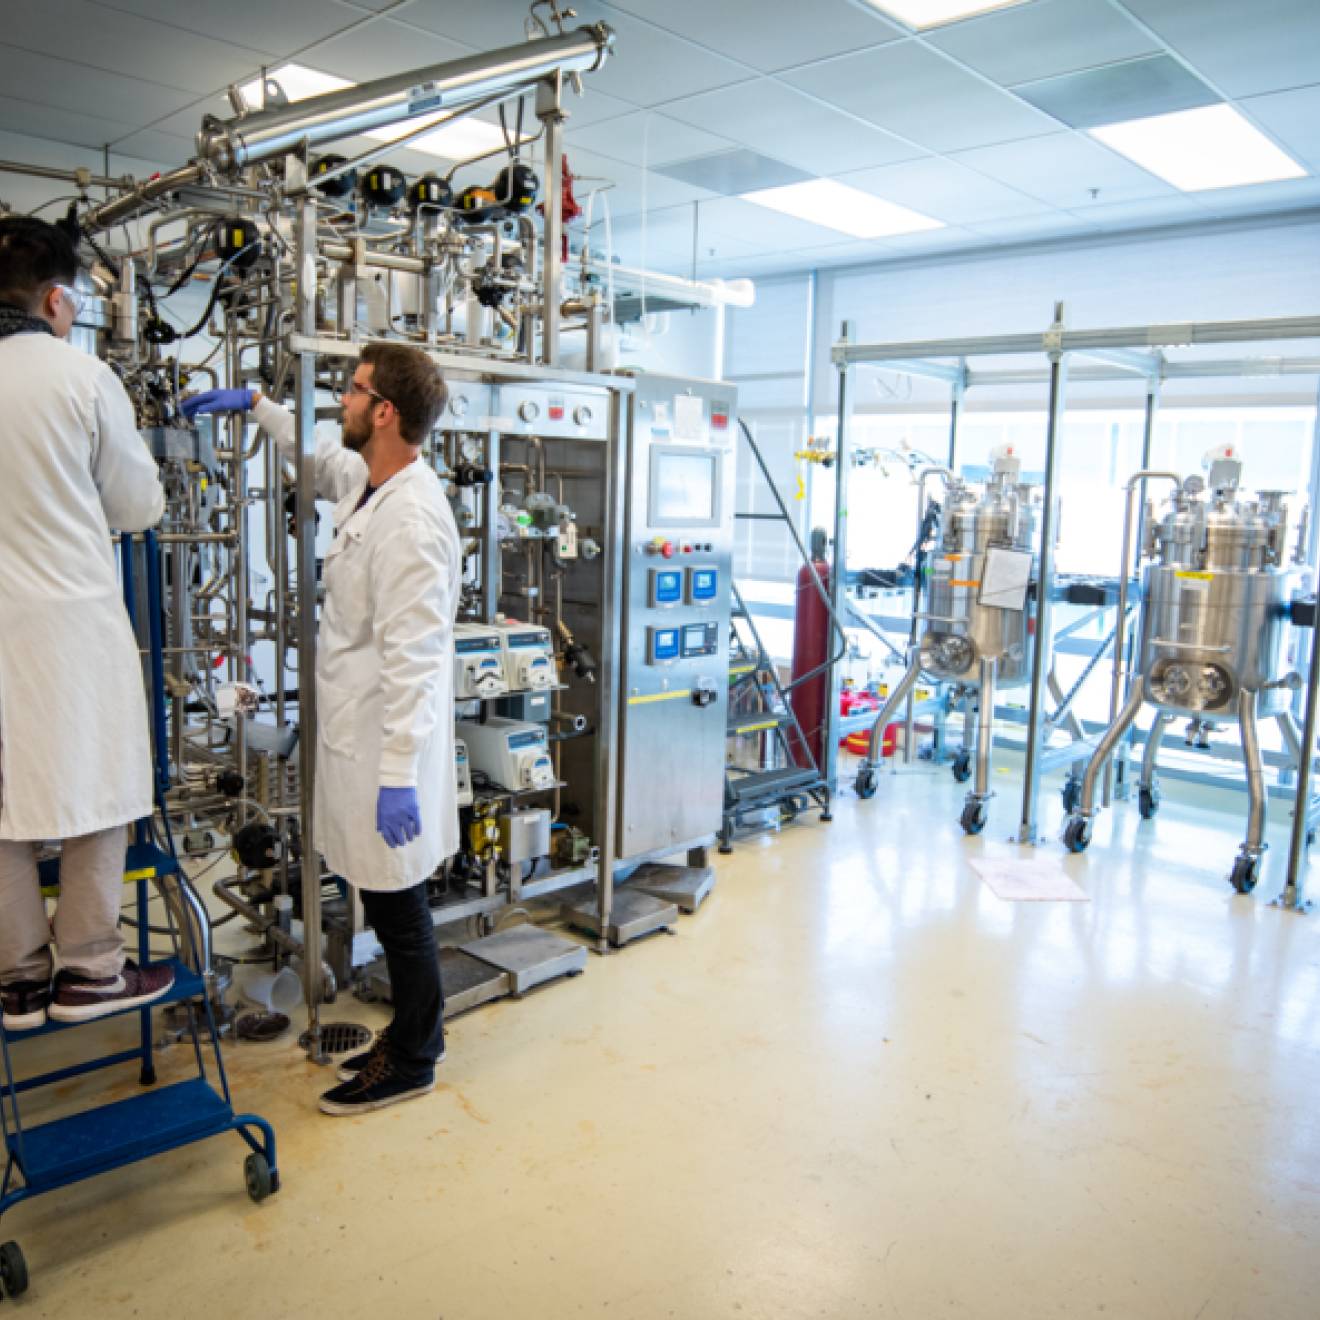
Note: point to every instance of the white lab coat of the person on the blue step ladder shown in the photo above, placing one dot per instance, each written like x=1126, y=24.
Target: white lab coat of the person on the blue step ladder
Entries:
x=75, y=741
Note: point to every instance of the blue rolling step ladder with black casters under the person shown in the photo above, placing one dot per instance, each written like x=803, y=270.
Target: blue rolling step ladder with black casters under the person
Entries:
x=96, y=1141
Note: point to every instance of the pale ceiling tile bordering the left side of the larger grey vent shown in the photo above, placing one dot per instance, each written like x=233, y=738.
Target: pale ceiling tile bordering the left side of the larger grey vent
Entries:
x=923, y=97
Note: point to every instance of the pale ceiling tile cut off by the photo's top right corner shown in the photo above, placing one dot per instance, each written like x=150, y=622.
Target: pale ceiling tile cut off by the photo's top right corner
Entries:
x=1243, y=48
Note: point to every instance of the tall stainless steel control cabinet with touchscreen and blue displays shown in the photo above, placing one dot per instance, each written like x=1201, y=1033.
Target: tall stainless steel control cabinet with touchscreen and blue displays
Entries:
x=678, y=562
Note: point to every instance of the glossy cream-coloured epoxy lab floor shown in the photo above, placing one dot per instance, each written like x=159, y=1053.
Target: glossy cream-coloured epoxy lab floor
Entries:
x=856, y=1084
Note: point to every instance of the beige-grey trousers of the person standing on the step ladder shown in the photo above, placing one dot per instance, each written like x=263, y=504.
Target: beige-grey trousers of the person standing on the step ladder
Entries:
x=86, y=926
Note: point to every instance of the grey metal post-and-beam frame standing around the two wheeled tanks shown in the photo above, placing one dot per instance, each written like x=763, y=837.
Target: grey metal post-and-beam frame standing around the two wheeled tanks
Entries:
x=1120, y=353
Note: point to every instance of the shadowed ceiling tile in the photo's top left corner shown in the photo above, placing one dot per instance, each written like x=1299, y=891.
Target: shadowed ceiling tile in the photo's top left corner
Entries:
x=125, y=44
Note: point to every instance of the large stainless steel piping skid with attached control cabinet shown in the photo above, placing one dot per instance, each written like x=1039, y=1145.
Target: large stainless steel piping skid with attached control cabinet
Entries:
x=564, y=482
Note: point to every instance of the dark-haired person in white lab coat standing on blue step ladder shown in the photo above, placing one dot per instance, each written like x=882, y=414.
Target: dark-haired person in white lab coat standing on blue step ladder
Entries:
x=75, y=742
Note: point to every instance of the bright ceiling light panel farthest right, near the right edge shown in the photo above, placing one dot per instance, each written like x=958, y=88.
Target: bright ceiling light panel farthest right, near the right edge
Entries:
x=1199, y=150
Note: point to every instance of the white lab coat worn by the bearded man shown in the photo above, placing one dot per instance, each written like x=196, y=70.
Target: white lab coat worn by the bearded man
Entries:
x=385, y=663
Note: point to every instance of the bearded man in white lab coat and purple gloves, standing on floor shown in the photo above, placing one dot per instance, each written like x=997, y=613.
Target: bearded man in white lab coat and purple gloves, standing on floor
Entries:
x=386, y=795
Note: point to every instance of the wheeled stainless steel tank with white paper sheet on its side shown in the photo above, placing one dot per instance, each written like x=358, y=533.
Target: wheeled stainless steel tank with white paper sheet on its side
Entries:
x=971, y=624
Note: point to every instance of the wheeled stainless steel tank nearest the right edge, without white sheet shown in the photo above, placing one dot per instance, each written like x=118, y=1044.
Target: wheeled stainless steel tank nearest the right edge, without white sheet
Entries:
x=1216, y=646
